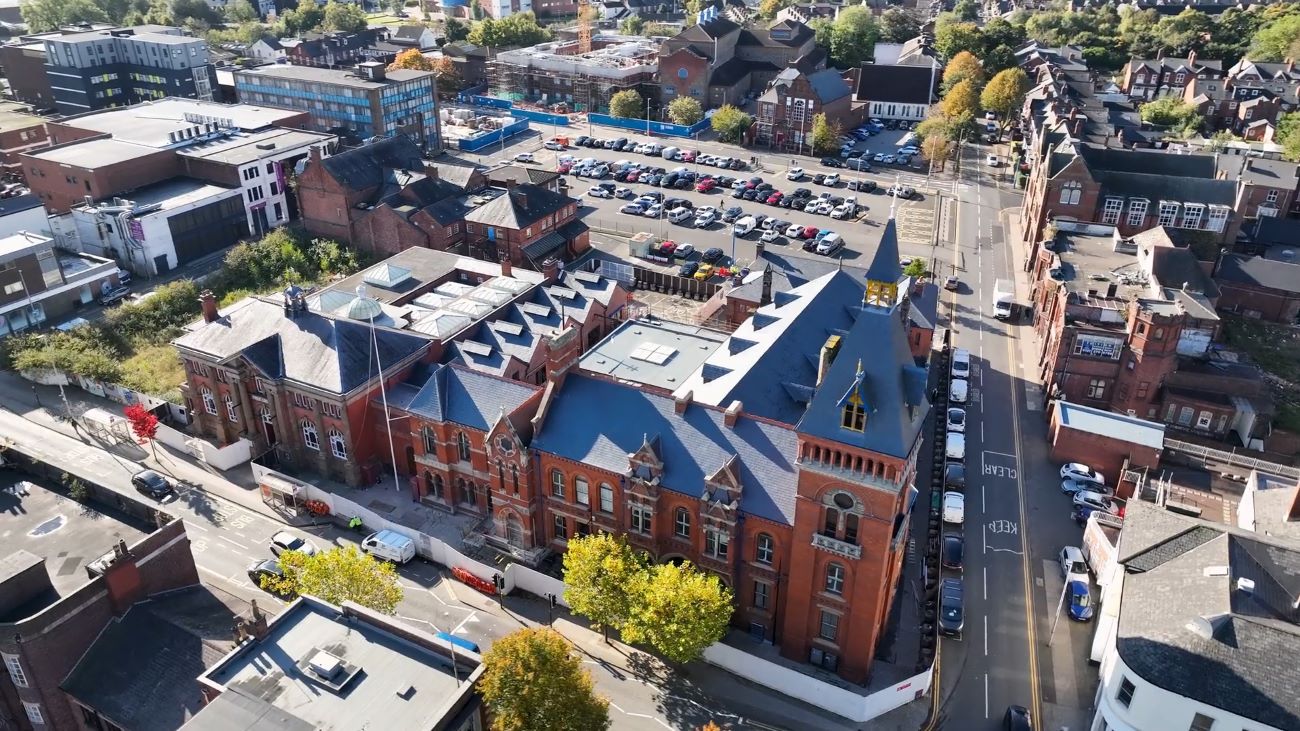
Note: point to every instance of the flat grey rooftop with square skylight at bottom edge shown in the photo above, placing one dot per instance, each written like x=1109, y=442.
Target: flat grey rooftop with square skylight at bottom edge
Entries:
x=397, y=685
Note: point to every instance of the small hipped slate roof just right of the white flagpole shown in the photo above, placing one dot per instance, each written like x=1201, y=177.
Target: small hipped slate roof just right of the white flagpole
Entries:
x=466, y=397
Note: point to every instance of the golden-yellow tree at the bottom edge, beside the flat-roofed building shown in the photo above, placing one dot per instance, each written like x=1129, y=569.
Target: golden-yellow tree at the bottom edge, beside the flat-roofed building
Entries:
x=532, y=681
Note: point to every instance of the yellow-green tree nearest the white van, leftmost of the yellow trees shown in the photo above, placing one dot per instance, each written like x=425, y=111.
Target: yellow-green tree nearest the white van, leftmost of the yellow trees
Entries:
x=339, y=576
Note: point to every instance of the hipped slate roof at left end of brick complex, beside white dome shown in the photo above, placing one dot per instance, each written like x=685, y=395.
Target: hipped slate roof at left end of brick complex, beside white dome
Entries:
x=331, y=354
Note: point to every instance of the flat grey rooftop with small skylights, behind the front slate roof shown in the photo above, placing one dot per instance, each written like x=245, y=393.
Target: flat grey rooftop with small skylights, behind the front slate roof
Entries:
x=656, y=353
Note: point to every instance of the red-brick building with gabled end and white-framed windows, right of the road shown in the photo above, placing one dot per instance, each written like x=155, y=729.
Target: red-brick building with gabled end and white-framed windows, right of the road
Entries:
x=1132, y=191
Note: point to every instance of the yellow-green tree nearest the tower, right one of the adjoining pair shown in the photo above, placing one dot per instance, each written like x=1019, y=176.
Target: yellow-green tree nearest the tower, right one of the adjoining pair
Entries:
x=681, y=612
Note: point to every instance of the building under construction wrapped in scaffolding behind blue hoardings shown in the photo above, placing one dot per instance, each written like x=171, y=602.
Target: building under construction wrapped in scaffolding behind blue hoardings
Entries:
x=561, y=77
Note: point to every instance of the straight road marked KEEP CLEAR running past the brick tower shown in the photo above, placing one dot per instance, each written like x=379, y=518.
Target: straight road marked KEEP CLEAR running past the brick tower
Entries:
x=1016, y=518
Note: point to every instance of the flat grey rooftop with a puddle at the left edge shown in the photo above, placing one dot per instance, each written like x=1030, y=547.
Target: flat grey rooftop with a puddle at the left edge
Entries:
x=59, y=530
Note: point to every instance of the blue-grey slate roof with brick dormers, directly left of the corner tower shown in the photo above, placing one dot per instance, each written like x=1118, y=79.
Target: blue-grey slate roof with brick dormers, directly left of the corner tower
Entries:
x=694, y=445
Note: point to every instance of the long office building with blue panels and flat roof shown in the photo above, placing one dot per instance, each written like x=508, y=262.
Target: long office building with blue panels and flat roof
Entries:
x=365, y=102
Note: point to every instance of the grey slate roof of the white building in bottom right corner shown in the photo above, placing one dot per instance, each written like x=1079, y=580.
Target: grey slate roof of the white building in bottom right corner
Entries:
x=1245, y=656
